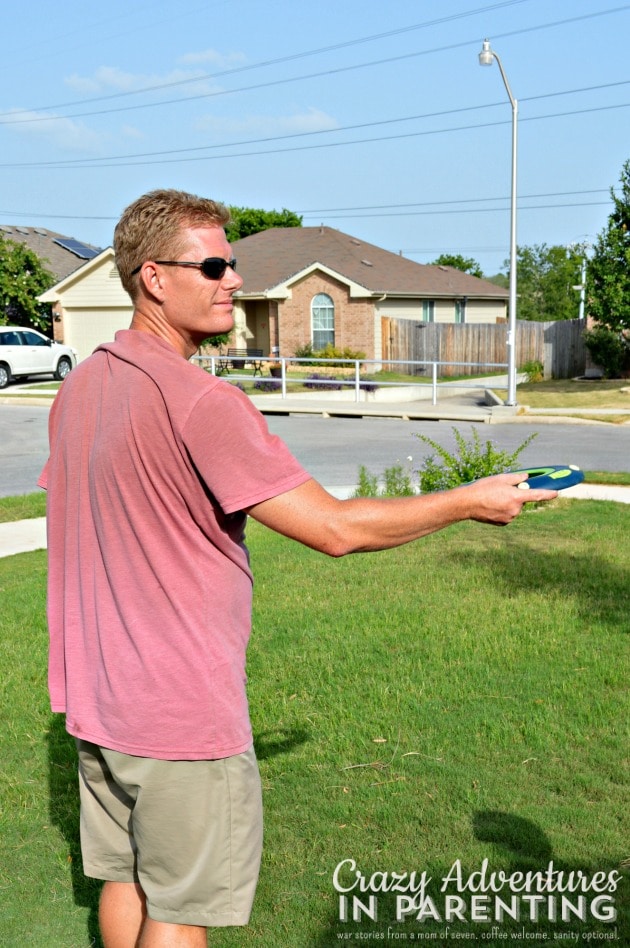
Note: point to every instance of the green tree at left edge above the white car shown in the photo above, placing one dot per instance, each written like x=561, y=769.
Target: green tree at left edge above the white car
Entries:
x=23, y=277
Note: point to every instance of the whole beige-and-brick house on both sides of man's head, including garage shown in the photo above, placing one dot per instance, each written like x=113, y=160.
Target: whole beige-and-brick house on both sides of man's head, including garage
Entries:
x=301, y=285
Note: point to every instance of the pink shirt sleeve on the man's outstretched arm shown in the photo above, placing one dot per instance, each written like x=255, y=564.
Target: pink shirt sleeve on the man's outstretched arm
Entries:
x=239, y=460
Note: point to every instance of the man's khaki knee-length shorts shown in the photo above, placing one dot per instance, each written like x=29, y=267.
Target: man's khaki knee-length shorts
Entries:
x=189, y=832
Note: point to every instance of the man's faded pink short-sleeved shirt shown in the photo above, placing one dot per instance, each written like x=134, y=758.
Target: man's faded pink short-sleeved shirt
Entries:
x=152, y=461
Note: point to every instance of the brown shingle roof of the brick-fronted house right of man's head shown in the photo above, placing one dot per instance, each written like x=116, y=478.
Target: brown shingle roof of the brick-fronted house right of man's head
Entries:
x=272, y=257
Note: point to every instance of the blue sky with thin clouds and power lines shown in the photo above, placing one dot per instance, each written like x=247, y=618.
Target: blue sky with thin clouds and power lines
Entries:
x=372, y=118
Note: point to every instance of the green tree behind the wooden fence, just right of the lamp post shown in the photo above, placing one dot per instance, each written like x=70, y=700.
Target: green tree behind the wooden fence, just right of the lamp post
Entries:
x=545, y=280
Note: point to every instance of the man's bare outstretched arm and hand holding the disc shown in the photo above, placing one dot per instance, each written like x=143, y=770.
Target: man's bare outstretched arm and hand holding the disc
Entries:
x=314, y=517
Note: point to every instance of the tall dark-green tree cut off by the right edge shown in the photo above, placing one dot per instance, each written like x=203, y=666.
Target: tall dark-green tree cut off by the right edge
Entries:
x=608, y=270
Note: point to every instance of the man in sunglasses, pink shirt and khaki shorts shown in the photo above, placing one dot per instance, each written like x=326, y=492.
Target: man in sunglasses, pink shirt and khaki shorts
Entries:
x=154, y=466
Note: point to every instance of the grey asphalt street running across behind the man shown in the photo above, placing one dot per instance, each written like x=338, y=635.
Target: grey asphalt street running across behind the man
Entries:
x=332, y=449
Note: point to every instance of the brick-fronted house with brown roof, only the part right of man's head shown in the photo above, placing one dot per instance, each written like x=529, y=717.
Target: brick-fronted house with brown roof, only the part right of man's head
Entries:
x=319, y=285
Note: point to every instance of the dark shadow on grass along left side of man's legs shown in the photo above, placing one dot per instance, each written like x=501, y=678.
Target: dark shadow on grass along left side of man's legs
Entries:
x=63, y=787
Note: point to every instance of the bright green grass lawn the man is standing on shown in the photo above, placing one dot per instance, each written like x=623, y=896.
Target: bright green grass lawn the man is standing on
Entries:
x=463, y=698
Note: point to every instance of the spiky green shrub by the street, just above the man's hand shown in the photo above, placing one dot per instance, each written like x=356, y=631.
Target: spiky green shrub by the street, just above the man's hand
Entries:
x=443, y=470
